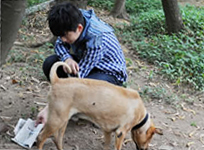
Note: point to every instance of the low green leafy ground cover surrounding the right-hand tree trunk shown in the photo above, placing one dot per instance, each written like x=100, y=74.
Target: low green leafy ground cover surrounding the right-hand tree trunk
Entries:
x=179, y=56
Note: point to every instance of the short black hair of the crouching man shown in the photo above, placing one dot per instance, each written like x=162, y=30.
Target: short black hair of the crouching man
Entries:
x=64, y=17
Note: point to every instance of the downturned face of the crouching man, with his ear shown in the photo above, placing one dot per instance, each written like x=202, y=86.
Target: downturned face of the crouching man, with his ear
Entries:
x=71, y=36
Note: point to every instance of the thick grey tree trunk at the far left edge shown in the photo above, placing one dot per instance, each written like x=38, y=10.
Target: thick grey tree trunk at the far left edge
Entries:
x=11, y=16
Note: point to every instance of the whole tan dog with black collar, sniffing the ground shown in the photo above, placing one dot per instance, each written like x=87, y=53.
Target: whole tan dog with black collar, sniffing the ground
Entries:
x=113, y=108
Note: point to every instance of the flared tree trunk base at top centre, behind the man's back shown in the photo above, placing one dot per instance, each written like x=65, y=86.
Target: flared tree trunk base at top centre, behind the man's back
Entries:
x=119, y=10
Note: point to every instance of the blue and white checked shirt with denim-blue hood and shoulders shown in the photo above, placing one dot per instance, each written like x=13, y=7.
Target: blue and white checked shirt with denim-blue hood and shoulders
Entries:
x=97, y=47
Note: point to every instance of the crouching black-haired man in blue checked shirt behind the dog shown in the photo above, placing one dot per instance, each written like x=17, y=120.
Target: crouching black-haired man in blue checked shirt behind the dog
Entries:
x=87, y=44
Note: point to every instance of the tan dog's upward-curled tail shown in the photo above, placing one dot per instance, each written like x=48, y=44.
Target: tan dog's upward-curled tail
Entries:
x=53, y=73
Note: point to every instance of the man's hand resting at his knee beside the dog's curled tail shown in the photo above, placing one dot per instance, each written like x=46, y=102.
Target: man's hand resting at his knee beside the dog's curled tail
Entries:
x=73, y=65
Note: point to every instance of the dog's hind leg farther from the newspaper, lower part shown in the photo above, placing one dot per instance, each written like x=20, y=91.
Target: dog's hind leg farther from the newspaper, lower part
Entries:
x=58, y=136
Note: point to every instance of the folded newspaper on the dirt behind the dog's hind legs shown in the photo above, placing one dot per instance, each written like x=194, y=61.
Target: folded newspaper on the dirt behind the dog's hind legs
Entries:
x=26, y=132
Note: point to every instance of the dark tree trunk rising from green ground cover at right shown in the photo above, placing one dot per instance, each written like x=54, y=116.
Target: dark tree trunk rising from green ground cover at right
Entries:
x=174, y=21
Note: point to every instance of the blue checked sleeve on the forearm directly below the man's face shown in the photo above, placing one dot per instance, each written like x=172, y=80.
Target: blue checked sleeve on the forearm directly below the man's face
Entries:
x=61, y=50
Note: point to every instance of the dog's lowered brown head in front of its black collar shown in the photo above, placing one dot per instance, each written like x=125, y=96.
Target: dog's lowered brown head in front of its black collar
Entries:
x=143, y=135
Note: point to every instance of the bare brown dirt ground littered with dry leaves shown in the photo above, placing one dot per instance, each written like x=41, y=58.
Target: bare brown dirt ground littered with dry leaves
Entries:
x=177, y=110
